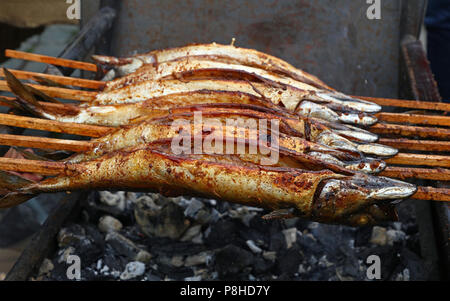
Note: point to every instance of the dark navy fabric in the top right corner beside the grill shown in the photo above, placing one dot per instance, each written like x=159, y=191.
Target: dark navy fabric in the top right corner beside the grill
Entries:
x=437, y=22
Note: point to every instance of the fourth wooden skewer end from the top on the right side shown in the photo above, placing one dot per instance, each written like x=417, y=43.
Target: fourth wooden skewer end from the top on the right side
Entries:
x=419, y=145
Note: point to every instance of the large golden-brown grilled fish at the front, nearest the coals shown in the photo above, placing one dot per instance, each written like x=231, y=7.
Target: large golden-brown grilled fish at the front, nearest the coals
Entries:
x=157, y=170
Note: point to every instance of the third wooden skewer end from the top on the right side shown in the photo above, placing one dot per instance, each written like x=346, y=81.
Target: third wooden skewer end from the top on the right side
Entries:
x=414, y=131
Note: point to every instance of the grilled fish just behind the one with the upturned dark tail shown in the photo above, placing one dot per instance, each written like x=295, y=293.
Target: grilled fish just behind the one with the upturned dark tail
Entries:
x=290, y=98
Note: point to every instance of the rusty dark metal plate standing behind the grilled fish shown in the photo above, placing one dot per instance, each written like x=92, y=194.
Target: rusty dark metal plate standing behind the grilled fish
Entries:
x=331, y=39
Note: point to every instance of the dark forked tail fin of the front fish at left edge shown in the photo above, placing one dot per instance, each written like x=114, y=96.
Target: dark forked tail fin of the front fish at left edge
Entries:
x=9, y=185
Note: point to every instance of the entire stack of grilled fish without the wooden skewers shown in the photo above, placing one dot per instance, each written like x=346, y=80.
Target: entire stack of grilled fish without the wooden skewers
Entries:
x=325, y=164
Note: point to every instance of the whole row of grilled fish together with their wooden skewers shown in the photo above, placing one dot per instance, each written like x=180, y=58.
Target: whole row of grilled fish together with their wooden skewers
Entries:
x=330, y=164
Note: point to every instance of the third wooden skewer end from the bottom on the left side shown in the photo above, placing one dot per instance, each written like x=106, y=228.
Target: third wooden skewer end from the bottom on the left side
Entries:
x=53, y=126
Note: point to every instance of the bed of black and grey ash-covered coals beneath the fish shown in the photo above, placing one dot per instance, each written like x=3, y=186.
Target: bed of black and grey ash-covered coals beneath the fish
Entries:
x=132, y=236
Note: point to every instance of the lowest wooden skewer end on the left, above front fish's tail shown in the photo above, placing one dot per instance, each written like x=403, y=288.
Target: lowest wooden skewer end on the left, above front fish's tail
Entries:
x=33, y=166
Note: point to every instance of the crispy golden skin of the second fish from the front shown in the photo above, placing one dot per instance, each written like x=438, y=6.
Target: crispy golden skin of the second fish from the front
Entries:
x=145, y=133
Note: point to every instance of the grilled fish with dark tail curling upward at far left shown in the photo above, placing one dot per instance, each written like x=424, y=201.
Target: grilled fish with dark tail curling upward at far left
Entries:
x=115, y=115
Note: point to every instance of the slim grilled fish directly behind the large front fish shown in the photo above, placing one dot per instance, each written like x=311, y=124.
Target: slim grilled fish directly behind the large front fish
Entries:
x=214, y=128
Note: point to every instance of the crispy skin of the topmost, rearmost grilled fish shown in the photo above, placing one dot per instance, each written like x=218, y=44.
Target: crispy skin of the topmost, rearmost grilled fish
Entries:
x=227, y=53
